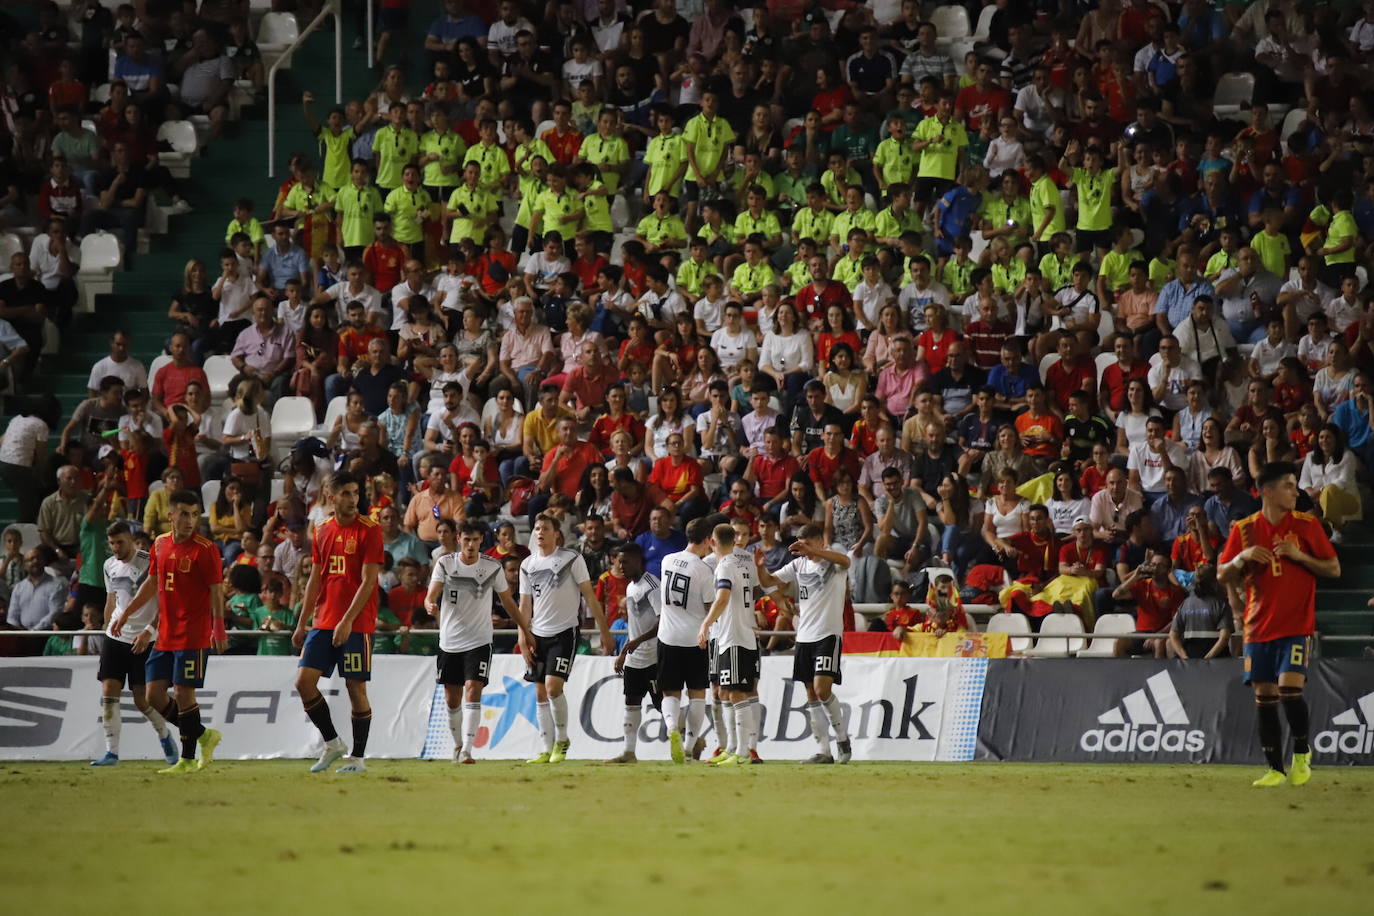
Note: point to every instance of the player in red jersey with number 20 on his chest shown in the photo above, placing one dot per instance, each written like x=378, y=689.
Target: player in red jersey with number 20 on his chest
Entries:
x=341, y=598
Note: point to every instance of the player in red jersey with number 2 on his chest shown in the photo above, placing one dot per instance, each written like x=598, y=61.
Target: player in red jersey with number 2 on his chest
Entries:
x=185, y=572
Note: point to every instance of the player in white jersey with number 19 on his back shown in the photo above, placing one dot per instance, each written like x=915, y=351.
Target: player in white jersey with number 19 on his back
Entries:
x=688, y=587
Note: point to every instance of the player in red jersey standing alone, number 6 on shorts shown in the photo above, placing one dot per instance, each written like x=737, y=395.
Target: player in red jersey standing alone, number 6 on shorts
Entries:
x=1277, y=554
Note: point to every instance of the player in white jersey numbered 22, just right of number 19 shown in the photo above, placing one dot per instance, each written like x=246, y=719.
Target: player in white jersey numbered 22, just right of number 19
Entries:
x=737, y=586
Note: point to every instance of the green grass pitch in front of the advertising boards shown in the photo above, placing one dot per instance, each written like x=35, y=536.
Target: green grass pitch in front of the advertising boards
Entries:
x=586, y=838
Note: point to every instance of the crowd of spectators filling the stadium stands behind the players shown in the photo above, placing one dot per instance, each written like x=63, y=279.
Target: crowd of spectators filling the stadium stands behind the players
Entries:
x=1027, y=306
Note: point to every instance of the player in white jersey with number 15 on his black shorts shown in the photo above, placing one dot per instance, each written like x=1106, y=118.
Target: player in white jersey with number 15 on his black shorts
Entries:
x=552, y=582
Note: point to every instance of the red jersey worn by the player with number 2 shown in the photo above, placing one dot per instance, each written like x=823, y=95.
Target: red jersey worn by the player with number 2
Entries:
x=185, y=573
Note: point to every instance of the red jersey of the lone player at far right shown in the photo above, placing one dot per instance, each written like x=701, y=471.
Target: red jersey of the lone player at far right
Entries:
x=1280, y=598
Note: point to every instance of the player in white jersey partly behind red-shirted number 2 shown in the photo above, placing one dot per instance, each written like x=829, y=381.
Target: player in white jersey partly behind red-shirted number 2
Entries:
x=122, y=660
